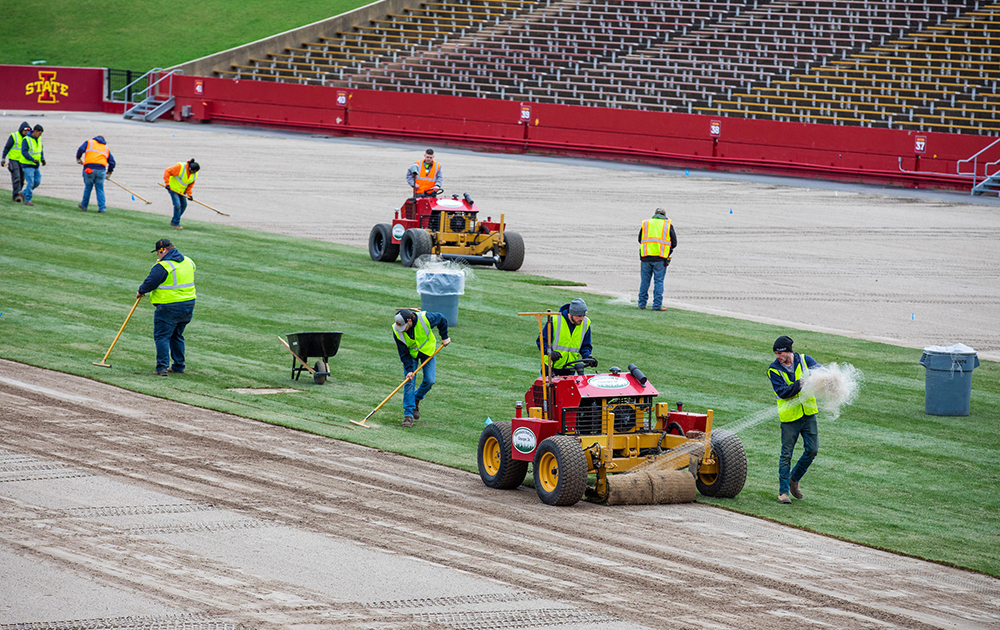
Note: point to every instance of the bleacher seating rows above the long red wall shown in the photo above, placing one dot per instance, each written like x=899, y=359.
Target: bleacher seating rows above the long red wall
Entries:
x=904, y=64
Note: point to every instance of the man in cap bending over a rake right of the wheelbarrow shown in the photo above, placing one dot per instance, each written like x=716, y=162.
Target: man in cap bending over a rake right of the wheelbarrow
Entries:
x=415, y=341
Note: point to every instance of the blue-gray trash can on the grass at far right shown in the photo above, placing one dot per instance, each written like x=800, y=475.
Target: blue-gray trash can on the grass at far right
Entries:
x=948, y=379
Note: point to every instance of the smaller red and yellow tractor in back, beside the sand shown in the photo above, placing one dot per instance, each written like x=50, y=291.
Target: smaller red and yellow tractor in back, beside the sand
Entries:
x=449, y=228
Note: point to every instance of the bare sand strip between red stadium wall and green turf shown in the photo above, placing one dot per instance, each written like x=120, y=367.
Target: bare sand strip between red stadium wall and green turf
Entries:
x=905, y=267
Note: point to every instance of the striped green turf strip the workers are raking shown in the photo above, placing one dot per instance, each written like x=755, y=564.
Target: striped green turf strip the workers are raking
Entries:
x=887, y=475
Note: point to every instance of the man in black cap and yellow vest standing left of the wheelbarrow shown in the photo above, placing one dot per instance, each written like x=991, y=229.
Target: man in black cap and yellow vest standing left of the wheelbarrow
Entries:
x=170, y=285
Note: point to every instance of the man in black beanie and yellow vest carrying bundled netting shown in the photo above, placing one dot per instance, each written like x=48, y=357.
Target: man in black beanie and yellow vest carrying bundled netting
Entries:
x=797, y=412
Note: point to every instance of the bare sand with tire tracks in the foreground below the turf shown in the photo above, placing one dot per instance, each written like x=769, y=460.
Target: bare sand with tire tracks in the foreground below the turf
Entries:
x=123, y=511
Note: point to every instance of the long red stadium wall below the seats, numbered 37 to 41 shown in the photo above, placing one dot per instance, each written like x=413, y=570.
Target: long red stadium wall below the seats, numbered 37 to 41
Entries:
x=800, y=149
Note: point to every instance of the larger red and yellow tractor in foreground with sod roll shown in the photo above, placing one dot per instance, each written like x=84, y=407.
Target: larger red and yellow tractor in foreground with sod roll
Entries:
x=609, y=426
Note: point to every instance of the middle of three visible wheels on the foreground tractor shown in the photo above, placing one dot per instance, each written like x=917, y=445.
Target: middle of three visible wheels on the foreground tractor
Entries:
x=560, y=470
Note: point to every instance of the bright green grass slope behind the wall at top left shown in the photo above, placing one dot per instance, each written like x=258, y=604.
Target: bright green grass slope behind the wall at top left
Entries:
x=142, y=35
